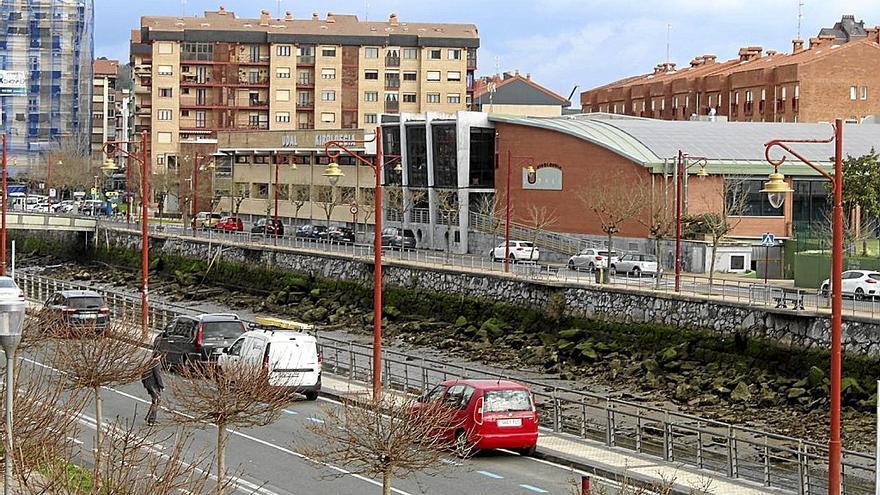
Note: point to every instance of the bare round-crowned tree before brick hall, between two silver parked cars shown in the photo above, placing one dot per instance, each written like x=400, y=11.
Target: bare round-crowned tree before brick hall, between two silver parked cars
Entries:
x=614, y=201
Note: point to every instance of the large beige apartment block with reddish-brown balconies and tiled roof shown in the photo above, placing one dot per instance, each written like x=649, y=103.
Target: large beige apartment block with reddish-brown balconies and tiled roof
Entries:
x=197, y=76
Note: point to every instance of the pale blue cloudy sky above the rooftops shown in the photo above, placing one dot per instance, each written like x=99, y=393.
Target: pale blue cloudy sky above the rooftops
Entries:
x=561, y=43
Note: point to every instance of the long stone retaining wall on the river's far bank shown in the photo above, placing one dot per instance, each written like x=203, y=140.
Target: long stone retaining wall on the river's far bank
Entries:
x=796, y=328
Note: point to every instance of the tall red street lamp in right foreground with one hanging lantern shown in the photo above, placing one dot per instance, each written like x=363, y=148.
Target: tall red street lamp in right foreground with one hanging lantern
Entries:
x=776, y=189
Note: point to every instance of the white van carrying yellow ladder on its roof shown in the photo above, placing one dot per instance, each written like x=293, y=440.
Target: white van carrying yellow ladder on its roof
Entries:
x=290, y=356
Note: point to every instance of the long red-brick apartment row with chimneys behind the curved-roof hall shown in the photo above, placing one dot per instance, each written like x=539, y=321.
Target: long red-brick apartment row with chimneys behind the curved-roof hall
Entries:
x=834, y=77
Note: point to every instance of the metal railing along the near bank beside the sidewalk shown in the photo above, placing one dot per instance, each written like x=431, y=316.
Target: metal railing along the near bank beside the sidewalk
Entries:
x=718, y=448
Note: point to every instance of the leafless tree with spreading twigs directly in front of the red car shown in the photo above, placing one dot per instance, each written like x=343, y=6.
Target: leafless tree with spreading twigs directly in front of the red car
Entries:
x=388, y=438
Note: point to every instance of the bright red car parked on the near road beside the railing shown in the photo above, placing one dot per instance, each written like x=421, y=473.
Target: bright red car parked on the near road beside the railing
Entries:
x=489, y=414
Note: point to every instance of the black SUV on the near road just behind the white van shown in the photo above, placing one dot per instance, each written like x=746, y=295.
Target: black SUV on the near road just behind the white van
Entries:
x=198, y=338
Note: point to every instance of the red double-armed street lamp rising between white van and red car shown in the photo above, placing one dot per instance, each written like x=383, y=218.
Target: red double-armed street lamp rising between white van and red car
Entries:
x=333, y=174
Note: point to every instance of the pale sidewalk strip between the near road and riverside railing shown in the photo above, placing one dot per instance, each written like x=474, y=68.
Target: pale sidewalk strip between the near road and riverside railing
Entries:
x=612, y=463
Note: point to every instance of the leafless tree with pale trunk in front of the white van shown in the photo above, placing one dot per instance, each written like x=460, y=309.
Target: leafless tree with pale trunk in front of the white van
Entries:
x=236, y=395
